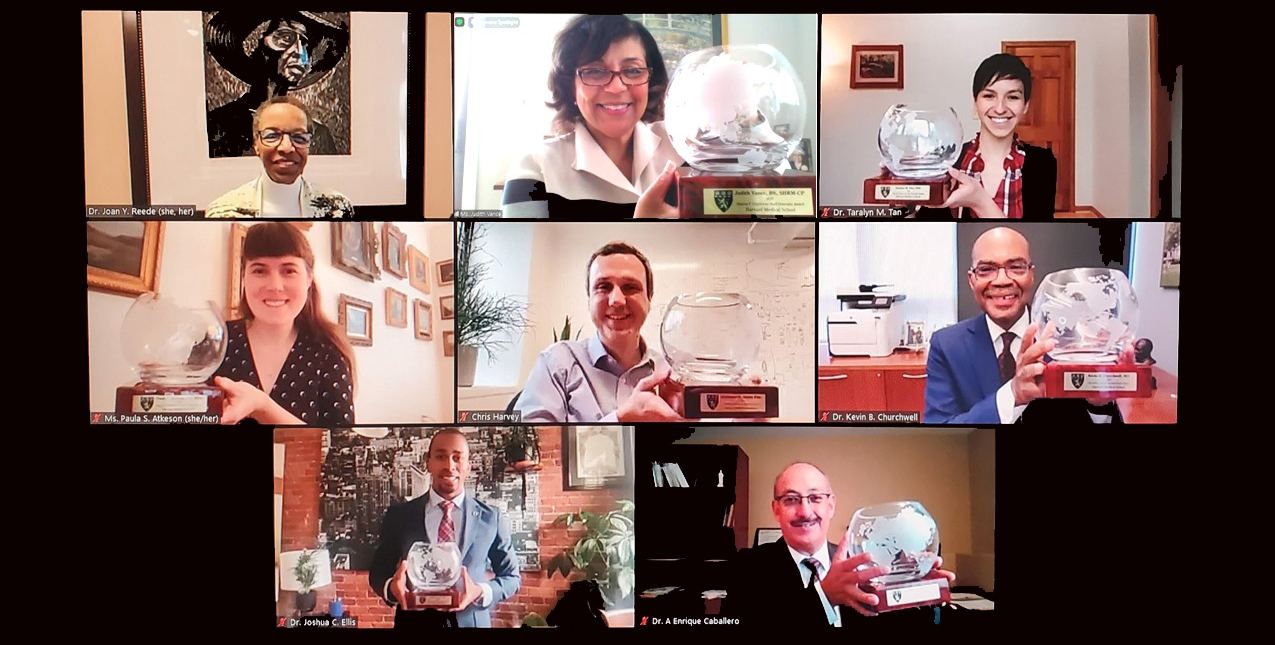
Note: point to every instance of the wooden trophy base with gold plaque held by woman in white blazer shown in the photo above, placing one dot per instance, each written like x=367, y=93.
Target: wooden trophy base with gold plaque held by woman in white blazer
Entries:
x=730, y=194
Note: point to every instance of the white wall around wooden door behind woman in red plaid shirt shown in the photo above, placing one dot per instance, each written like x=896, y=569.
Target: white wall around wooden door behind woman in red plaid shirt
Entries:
x=942, y=54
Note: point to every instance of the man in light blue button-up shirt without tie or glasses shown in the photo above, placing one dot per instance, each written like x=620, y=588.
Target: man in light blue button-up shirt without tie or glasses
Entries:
x=614, y=377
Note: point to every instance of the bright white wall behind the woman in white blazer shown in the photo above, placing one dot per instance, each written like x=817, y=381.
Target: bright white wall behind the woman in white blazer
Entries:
x=503, y=96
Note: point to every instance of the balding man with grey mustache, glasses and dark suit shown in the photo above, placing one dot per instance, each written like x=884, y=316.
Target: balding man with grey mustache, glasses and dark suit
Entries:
x=804, y=581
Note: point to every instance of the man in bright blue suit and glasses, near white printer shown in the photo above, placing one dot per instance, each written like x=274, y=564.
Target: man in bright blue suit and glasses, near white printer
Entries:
x=989, y=369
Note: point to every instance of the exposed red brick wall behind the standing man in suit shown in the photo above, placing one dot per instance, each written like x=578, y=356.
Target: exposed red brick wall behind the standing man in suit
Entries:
x=537, y=595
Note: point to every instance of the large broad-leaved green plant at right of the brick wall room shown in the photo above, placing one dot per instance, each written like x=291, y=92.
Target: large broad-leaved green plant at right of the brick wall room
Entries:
x=605, y=553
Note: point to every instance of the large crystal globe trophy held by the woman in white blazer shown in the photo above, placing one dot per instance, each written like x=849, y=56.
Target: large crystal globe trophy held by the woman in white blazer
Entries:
x=736, y=114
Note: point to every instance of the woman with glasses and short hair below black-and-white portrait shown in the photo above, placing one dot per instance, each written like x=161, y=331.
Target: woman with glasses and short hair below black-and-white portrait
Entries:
x=282, y=137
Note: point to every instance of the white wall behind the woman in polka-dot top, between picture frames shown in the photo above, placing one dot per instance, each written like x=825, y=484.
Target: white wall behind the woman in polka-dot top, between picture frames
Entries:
x=401, y=379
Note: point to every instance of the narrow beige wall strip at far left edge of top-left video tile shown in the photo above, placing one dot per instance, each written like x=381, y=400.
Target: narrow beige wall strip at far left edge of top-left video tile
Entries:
x=106, y=122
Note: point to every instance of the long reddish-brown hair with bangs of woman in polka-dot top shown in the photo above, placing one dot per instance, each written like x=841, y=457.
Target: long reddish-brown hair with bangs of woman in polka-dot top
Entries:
x=280, y=240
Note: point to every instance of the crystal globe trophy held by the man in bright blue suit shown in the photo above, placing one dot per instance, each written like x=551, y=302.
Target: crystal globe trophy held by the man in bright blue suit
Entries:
x=1095, y=315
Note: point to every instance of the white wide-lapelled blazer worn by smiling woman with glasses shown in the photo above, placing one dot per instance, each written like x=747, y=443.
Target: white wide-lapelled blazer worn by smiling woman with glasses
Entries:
x=574, y=166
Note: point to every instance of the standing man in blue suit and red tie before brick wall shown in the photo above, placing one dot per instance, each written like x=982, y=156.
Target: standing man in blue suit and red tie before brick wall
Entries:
x=447, y=514
